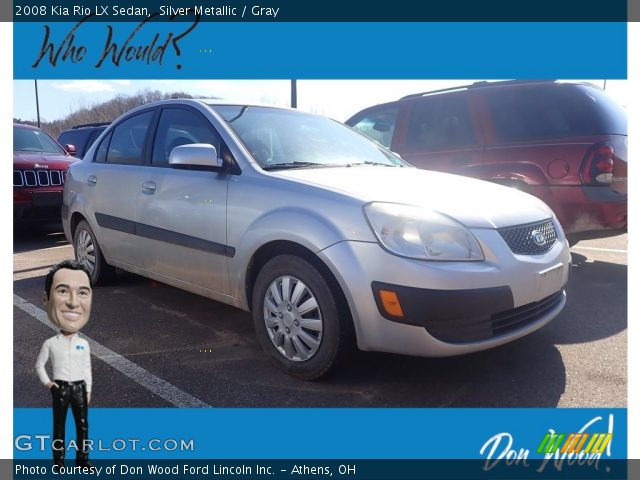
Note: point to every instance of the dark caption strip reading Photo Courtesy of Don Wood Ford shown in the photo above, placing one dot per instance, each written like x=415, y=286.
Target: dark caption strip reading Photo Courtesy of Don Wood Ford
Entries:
x=521, y=469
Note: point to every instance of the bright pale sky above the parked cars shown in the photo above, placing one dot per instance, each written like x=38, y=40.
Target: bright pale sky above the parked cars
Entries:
x=338, y=99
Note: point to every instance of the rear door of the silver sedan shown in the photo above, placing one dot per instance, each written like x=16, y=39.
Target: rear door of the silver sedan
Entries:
x=114, y=177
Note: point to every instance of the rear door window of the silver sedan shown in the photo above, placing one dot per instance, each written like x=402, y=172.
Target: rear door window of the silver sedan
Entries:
x=128, y=138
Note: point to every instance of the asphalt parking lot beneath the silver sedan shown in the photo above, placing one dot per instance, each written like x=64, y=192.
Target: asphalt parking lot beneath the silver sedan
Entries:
x=156, y=346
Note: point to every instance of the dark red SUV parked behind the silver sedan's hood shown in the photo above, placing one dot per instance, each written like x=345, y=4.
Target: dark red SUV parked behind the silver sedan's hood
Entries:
x=565, y=143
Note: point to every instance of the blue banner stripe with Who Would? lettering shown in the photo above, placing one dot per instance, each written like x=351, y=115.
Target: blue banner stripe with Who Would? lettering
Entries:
x=320, y=50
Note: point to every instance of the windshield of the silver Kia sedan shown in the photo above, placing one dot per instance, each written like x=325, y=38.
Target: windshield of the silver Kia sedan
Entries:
x=287, y=139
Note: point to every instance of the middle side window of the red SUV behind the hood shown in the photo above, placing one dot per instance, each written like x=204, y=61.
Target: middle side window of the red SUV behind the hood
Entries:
x=440, y=122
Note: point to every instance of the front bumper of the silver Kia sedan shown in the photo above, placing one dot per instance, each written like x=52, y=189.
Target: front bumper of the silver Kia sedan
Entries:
x=450, y=308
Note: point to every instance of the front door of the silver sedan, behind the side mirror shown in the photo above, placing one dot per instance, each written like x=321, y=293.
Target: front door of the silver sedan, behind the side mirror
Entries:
x=181, y=213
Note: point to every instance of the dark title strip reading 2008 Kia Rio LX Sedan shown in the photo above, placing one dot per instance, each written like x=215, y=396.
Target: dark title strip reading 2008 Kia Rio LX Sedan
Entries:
x=325, y=11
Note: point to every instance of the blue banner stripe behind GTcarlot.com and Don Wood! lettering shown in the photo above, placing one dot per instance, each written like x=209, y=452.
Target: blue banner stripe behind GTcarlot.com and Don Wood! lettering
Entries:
x=329, y=433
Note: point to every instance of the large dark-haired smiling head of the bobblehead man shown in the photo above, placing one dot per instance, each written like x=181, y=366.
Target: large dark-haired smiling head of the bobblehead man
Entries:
x=68, y=301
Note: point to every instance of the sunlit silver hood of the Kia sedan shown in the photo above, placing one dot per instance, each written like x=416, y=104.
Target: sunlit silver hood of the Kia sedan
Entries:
x=474, y=203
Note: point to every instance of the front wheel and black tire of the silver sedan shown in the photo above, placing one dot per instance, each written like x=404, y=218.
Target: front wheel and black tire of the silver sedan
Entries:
x=299, y=355
